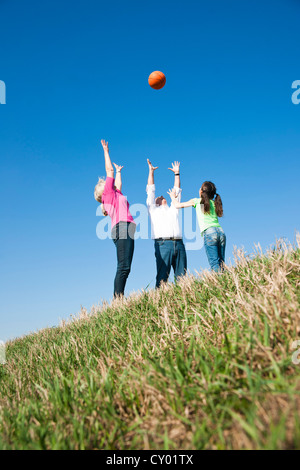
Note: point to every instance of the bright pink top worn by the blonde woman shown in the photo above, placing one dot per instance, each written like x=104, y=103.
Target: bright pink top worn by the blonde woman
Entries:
x=115, y=204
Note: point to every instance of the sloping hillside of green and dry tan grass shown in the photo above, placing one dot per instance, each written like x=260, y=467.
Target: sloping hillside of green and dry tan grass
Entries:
x=206, y=364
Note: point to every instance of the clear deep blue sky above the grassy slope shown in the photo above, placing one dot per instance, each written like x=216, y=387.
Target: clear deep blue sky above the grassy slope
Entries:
x=77, y=72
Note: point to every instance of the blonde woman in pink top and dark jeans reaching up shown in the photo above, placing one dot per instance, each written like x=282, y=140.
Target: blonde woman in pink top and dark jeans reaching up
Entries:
x=114, y=203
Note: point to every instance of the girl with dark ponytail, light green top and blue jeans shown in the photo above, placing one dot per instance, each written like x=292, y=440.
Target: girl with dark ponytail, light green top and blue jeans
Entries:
x=208, y=208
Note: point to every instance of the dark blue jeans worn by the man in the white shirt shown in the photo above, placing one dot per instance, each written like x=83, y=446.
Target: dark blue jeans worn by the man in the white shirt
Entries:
x=169, y=254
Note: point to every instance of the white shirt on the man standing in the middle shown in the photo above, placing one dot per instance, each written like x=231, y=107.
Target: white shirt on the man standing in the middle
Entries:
x=165, y=221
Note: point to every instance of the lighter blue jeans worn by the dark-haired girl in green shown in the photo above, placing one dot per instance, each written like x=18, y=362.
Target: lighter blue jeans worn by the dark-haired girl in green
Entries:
x=215, y=242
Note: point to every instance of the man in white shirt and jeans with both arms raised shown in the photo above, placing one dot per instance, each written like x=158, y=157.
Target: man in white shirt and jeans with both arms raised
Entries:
x=166, y=230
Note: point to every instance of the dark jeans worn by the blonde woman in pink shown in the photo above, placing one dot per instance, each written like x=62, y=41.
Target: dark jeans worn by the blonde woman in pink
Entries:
x=123, y=237
